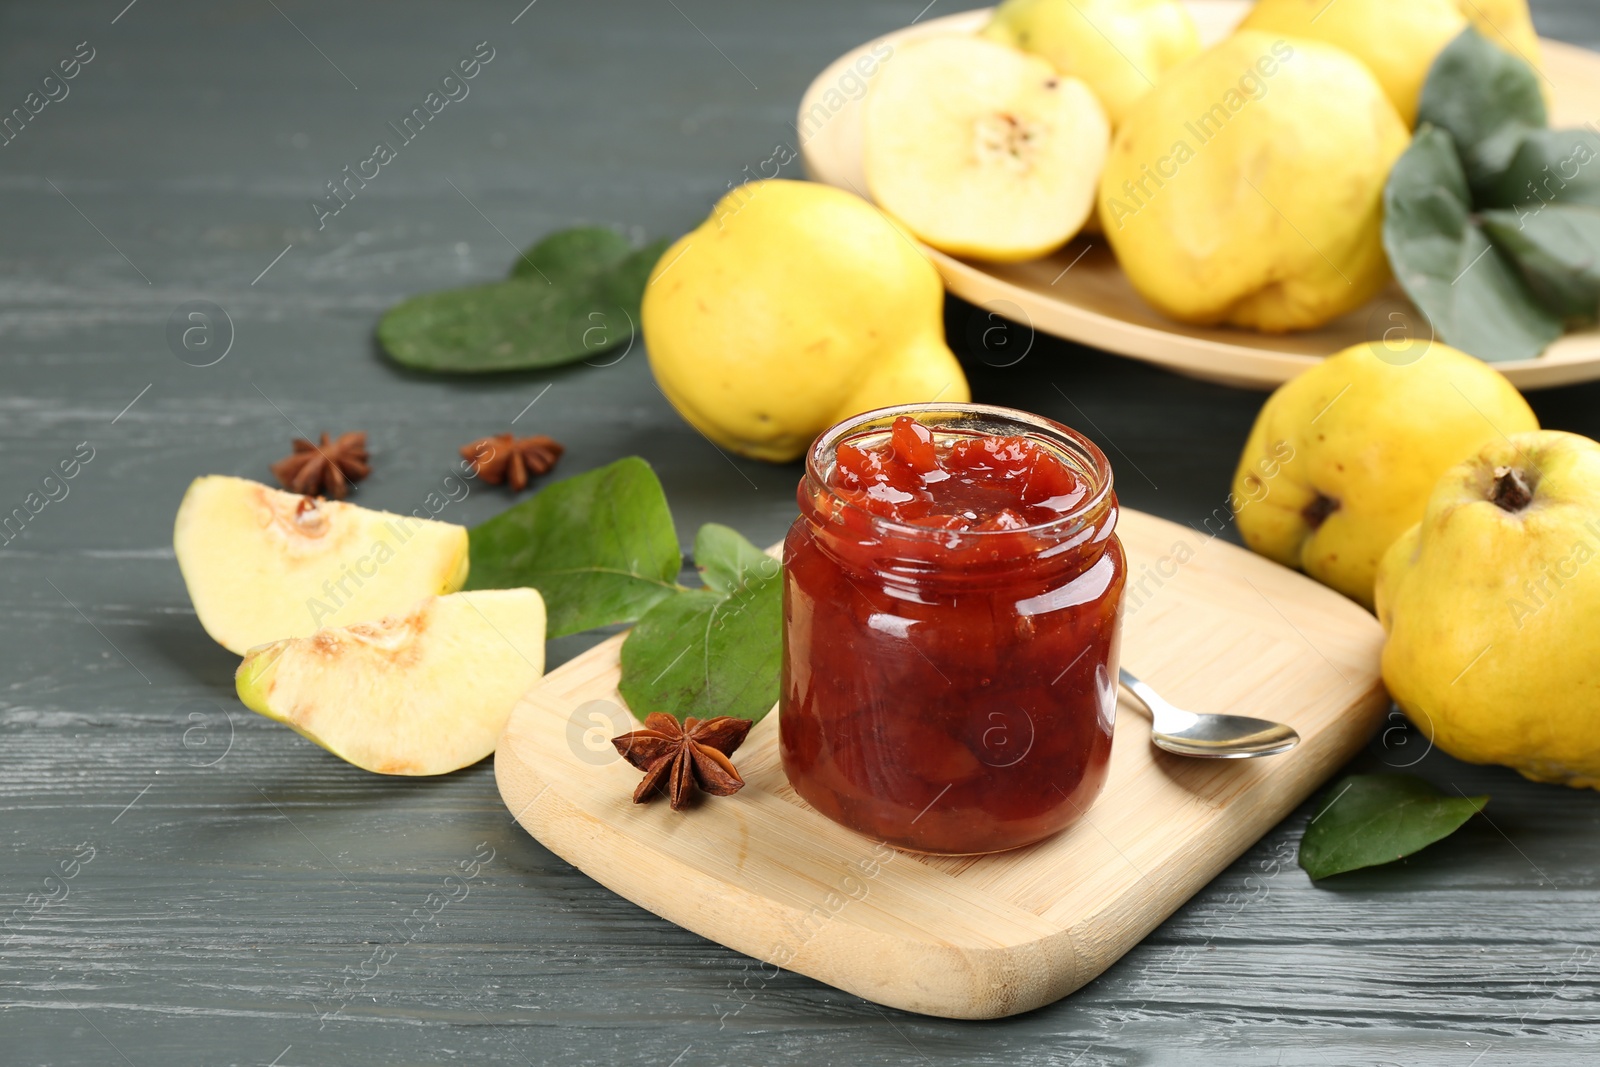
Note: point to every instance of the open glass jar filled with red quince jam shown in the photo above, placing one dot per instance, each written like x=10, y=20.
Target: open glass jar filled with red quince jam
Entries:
x=953, y=594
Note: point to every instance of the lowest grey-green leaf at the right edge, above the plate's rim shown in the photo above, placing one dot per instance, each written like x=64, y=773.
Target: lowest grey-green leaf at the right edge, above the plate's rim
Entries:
x=1558, y=249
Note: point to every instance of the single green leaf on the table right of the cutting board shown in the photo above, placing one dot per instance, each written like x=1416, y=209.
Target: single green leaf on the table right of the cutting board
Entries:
x=1370, y=820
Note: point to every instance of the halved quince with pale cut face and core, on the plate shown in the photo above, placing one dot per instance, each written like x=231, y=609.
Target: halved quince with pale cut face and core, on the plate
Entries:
x=983, y=151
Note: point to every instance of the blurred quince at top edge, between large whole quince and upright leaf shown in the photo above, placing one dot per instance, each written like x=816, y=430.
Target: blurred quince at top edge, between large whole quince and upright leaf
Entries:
x=1396, y=39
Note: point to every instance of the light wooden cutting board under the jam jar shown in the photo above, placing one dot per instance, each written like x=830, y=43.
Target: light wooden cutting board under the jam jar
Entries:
x=1209, y=625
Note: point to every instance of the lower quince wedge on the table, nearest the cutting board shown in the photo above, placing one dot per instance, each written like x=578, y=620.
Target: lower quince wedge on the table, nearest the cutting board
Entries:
x=425, y=692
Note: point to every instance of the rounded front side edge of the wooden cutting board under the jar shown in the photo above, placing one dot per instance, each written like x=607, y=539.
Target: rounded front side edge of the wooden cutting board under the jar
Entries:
x=914, y=975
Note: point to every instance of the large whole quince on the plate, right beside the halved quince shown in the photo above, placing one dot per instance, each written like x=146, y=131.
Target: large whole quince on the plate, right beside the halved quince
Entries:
x=1247, y=186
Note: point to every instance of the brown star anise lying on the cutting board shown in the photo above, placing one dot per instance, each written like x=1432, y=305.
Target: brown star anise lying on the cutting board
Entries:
x=679, y=761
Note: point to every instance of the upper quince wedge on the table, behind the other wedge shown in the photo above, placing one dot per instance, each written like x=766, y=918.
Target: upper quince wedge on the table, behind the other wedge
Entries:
x=265, y=565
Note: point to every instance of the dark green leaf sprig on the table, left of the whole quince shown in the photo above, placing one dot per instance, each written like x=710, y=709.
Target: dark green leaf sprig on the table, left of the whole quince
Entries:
x=572, y=297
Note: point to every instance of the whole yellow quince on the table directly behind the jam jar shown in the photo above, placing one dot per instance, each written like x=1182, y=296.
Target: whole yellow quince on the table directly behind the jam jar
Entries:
x=791, y=308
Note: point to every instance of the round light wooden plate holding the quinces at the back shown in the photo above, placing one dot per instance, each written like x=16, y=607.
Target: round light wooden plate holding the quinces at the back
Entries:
x=1095, y=305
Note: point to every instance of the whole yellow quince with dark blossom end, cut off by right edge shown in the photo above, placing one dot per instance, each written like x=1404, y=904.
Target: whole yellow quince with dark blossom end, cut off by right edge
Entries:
x=1494, y=610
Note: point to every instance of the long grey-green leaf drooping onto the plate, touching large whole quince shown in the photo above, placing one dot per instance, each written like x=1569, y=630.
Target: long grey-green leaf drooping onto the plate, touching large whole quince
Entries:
x=1470, y=290
